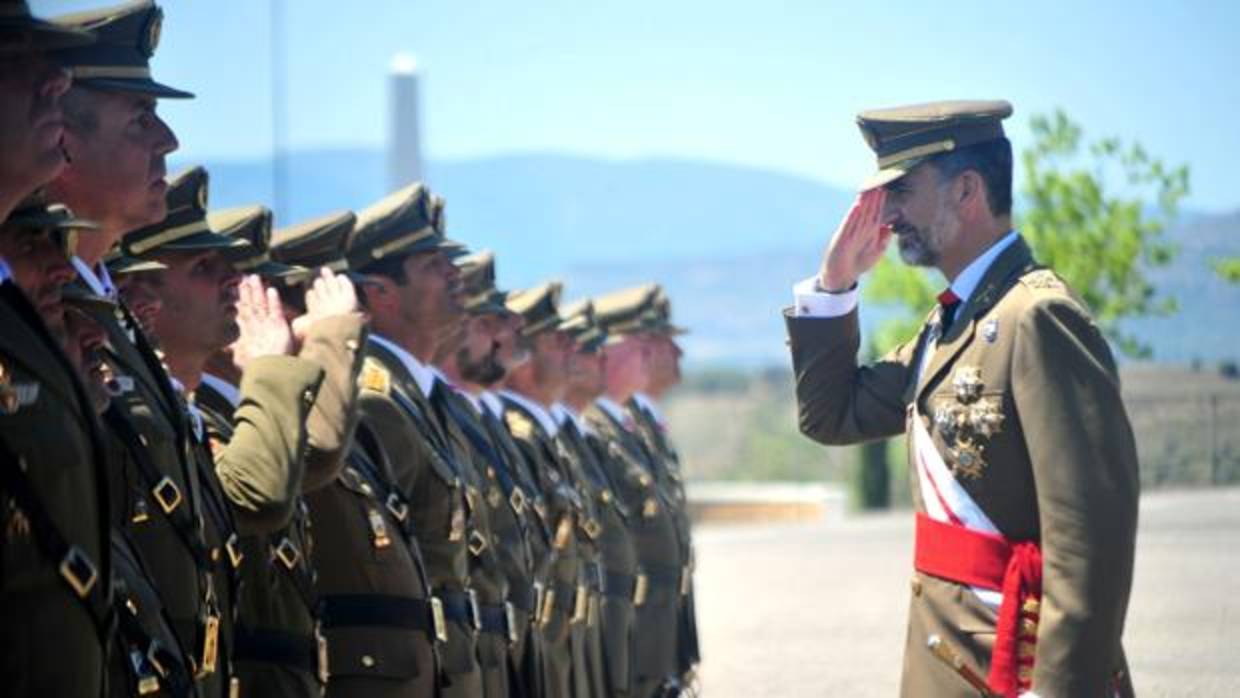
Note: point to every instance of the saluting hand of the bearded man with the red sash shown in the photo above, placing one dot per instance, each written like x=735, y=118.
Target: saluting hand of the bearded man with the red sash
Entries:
x=859, y=244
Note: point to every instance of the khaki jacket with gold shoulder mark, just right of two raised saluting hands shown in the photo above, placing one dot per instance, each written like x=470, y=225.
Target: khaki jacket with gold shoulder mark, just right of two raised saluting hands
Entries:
x=422, y=458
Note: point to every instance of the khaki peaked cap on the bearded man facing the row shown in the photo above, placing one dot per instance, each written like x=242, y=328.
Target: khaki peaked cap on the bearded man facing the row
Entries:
x=906, y=137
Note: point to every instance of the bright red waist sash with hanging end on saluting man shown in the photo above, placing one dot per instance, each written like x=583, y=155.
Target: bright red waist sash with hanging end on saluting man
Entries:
x=983, y=560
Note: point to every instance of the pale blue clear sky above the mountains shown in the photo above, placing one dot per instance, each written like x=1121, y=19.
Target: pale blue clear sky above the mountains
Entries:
x=769, y=85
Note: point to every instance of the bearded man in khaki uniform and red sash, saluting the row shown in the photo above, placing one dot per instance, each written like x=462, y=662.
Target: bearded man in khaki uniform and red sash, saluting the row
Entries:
x=1024, y=466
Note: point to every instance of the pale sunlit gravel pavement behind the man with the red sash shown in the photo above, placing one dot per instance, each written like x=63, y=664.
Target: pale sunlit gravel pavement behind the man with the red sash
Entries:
x=819, y=609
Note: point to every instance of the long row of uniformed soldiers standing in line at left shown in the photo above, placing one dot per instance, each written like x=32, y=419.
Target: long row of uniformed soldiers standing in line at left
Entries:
x=333, y=458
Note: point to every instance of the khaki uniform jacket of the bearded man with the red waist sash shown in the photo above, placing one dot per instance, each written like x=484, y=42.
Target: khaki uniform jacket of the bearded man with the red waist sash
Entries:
x=1050, y=458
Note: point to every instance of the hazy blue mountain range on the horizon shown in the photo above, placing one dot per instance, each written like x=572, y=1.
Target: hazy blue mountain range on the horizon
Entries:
x=726, y=241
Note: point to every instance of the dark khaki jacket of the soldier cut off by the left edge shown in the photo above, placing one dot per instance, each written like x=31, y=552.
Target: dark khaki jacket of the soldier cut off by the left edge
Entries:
x=51, y=442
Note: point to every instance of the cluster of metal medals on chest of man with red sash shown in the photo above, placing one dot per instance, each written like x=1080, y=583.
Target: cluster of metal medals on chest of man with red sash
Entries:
x=967, y=422
